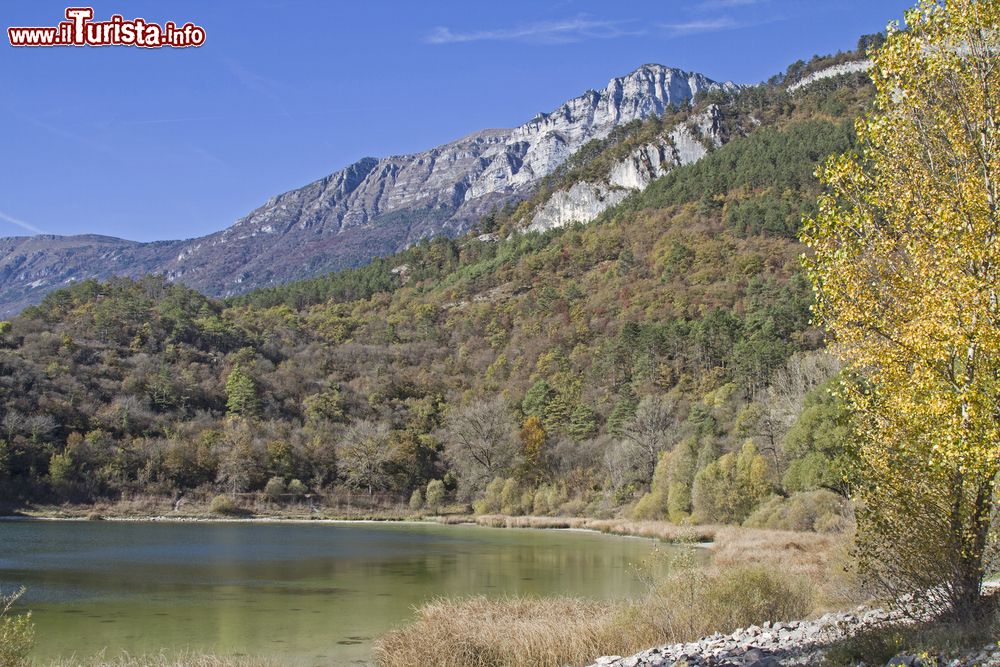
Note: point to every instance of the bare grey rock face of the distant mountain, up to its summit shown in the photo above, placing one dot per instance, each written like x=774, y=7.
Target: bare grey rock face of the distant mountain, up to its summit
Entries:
x=462, y=178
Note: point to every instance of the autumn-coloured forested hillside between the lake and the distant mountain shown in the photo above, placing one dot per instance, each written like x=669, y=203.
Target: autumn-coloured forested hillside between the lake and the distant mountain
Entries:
x=659, y=361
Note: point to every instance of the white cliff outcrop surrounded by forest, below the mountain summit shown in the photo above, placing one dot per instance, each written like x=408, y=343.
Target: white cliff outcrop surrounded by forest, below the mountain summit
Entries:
x=584, y=201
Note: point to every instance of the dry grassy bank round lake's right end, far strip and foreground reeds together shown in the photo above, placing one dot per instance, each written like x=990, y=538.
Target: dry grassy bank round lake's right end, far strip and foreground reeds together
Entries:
x=753, y=576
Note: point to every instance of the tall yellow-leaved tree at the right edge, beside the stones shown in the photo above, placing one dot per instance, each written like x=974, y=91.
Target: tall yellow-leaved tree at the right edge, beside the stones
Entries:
x=906, y=265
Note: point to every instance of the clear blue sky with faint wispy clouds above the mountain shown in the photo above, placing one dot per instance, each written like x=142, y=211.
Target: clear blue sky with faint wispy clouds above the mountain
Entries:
x=159, y=143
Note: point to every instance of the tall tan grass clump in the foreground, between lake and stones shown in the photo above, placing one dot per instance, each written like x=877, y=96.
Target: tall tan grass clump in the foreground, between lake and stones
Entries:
x=685, y=603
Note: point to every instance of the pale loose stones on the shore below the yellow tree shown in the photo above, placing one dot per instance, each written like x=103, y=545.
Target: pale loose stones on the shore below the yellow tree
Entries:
x=787, y=644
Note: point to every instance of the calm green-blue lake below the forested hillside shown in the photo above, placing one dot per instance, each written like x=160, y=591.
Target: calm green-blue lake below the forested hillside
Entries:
x=305, y=593
